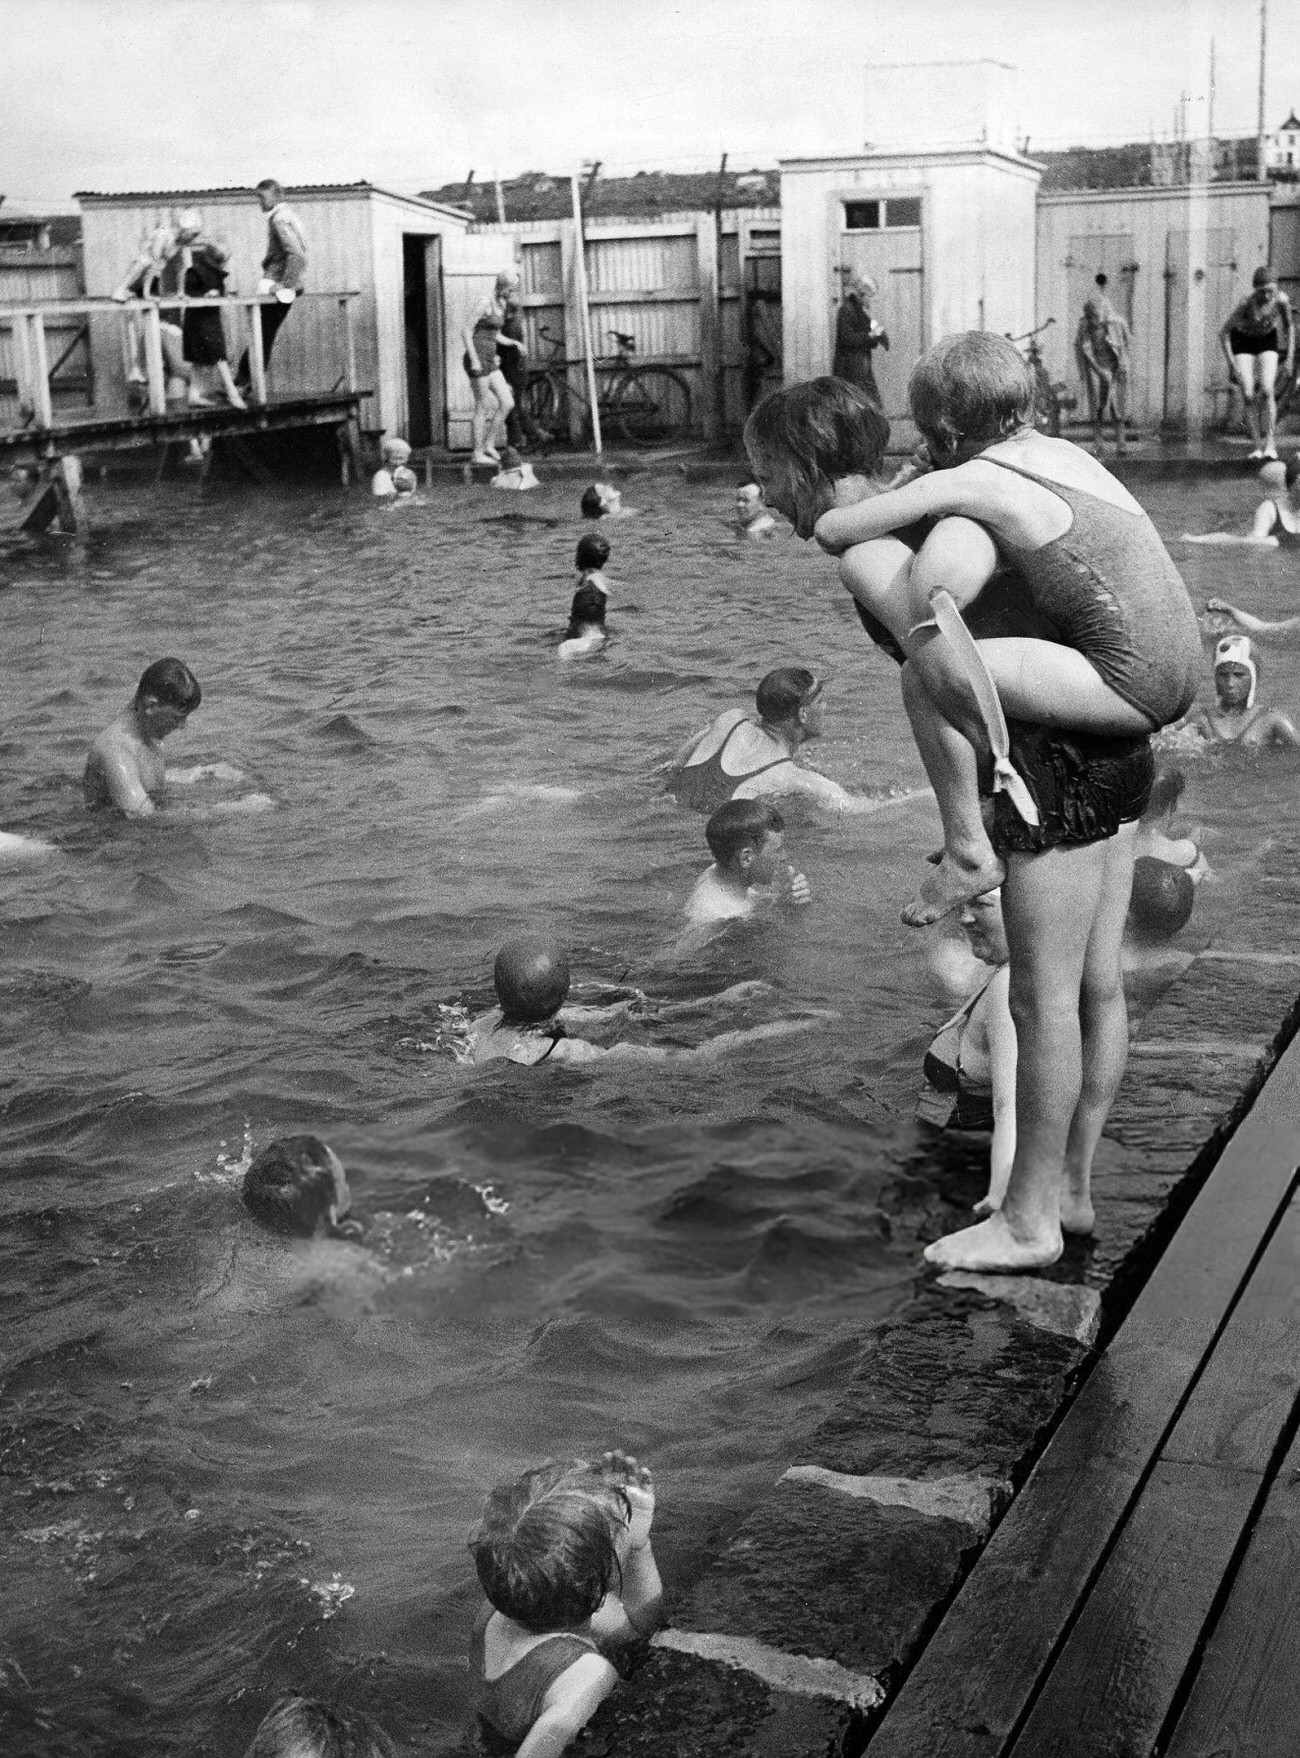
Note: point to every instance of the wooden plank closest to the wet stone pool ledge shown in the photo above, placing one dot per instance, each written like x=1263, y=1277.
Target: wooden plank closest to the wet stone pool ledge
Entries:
x=982, y=1669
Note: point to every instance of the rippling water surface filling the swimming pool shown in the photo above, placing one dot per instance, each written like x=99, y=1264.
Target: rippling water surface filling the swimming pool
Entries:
x=233, y=1465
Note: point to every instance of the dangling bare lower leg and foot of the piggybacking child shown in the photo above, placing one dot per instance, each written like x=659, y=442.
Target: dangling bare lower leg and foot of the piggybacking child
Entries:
x=968, y=868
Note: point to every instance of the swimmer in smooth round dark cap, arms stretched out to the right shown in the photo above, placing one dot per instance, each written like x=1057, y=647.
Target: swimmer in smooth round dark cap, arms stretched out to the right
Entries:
x=532, y=985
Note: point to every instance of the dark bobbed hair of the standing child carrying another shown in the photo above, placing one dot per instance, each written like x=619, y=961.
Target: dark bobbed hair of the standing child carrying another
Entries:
x=814, y=435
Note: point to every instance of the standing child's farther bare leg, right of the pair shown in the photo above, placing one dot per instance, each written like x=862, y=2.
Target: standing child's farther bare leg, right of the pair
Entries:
x=1104, y=1019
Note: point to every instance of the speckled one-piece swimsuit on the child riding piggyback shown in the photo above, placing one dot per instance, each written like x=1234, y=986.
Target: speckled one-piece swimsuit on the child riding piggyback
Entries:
x=1113, y=592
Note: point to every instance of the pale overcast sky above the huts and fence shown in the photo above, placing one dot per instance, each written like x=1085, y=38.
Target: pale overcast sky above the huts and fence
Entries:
x=191, y=94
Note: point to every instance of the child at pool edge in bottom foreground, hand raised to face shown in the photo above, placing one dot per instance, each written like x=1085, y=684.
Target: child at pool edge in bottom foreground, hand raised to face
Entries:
x=566, y=1562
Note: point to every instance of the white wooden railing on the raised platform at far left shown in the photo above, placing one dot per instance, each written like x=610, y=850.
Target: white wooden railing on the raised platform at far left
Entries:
x=34, y=372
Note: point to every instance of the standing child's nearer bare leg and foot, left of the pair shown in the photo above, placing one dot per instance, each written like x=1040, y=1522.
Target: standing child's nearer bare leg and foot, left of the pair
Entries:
x=1049, y=906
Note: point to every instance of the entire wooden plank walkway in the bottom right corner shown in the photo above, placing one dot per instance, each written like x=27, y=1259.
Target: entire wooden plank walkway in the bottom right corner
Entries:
x=1139, y=1595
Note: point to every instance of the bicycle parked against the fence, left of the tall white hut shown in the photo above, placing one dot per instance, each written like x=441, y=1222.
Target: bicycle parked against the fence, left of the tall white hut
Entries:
x=639, y=403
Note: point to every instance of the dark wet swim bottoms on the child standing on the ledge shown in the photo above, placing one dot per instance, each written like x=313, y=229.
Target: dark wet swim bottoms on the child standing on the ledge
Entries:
x=1085, y=787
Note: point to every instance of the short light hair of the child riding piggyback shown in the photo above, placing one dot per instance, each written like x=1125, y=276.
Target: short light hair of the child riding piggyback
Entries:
x=970, y=391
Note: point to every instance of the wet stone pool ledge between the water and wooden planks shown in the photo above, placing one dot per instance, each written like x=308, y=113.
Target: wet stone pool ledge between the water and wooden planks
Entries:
x=798, y=1634
